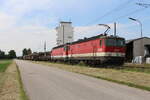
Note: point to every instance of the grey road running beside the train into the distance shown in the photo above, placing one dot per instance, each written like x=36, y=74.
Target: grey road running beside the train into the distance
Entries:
x=48, y=83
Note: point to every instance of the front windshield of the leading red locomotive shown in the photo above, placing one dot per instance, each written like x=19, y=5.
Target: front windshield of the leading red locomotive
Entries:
x=114, y=42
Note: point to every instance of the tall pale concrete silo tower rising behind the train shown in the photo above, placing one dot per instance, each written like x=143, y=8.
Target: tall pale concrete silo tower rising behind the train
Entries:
x=64, y=33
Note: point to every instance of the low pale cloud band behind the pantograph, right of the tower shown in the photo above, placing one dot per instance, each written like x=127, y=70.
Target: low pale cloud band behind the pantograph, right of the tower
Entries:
x=123, y=30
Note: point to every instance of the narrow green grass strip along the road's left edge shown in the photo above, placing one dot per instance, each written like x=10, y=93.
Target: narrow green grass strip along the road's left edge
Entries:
x=23, y=94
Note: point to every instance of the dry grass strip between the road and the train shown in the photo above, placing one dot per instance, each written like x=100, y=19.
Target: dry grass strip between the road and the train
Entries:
x=131, y=75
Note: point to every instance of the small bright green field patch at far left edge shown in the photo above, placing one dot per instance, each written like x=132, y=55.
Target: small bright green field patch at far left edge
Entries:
x=4, y=64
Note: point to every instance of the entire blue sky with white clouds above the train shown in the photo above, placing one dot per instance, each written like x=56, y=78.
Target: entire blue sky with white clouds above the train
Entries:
x=29, y=23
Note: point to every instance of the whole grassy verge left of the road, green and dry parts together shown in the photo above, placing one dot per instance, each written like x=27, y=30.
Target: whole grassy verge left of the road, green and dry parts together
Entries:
x=11, y=87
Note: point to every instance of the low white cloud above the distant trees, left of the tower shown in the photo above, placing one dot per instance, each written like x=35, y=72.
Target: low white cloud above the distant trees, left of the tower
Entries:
x=28, y=37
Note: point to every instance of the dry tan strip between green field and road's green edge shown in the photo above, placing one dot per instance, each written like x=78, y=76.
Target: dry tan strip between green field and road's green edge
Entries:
x=10, y=89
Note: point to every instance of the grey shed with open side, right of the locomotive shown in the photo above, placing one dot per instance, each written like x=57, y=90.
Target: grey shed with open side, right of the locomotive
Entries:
x=137, y=47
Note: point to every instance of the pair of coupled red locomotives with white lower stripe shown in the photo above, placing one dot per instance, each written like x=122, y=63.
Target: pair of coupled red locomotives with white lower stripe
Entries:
x=101, y=49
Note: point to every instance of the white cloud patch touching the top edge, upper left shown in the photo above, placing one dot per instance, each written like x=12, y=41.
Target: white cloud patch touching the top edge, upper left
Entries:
x=20, y=7
